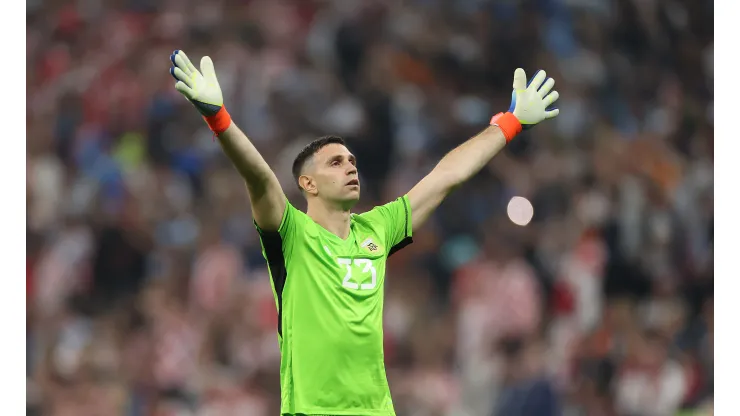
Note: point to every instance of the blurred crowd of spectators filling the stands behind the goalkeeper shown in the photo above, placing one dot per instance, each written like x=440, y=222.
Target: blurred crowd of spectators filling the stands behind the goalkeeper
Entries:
x=147, y=293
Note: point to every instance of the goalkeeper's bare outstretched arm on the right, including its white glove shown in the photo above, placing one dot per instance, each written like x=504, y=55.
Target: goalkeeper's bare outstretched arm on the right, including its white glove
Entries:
x=530, y=105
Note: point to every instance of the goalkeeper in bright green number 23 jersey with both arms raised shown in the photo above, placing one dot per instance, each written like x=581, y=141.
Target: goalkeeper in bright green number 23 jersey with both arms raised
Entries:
x=327, y=265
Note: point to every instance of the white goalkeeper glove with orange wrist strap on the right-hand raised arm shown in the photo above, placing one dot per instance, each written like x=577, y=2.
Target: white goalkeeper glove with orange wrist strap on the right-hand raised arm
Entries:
x=530, y=104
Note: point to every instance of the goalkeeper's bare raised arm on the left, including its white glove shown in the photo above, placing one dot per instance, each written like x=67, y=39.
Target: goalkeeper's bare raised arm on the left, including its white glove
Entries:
x=202, y=89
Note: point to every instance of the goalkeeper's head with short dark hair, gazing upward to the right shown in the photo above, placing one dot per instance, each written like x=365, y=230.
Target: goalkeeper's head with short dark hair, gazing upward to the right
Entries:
x=331, y=174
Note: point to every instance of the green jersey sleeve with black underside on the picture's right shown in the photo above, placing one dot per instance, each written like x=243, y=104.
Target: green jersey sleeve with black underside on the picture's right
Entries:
x=395, y=220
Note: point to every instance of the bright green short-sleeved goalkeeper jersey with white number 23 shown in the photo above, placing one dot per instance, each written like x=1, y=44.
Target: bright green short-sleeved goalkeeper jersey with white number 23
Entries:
x=329, y=296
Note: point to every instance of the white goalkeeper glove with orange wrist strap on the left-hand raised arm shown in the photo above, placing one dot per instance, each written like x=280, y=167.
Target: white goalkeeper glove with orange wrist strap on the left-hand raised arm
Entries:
x=201, y=89
